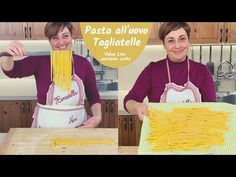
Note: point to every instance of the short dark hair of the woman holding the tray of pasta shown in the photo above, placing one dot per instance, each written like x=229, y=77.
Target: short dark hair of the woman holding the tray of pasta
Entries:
x=167, y=27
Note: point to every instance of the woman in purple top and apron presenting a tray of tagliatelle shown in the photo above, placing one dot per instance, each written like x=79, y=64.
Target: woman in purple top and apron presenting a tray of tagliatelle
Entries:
x=173, y=79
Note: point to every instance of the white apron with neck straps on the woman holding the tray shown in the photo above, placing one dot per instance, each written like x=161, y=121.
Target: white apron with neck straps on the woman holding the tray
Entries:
x=177, y=93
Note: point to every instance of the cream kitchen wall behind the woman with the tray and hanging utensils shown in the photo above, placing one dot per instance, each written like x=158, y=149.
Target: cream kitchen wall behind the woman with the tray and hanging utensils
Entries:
x=157, y=52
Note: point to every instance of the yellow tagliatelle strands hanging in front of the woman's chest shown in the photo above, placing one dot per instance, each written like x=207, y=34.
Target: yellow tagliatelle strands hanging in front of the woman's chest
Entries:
x=61, y=69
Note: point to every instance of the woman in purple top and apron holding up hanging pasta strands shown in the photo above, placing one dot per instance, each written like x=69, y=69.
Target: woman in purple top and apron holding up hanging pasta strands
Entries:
x=57, y=107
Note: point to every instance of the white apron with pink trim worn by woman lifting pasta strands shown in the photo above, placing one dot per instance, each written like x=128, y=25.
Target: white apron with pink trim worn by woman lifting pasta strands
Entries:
x=62, y=110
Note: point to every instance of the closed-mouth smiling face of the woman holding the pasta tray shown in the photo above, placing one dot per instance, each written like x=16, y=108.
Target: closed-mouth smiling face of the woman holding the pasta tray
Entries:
x=176, y=44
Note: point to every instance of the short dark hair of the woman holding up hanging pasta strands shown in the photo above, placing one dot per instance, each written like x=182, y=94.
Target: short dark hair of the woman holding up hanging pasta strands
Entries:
x=52, y=28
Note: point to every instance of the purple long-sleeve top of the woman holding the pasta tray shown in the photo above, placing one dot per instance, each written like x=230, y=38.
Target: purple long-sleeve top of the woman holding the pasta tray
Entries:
x=151, y=82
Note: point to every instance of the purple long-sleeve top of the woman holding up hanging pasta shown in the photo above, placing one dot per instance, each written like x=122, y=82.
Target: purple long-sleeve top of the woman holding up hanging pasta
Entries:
x=39, y=66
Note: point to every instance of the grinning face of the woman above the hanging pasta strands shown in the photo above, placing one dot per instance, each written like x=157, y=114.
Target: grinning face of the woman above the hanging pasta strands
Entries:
x=62, y=41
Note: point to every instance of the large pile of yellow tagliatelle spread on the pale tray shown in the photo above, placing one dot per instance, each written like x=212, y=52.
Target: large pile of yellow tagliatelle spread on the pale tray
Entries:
x=185, y=129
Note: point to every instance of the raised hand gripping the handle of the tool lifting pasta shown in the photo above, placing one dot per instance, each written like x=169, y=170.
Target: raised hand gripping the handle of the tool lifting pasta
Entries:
x=16, y=48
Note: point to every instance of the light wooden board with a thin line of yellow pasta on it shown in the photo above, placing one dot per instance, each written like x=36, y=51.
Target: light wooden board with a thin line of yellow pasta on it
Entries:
x=61, y=141
